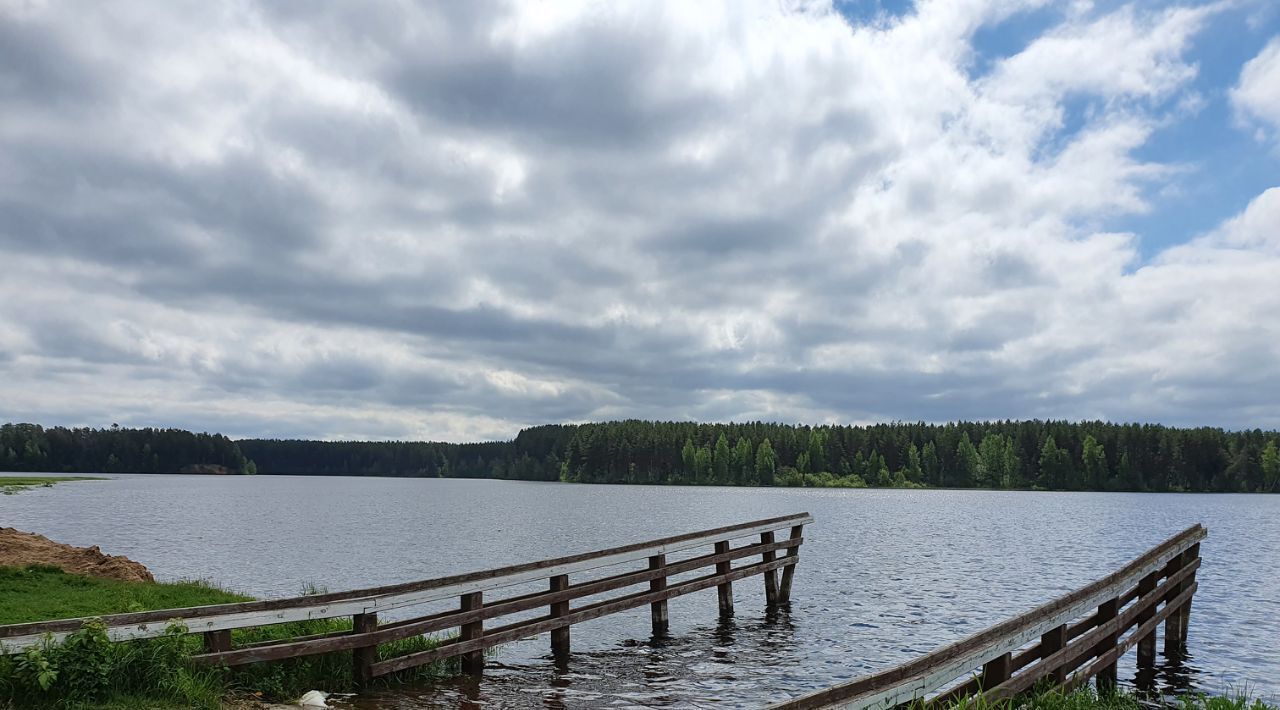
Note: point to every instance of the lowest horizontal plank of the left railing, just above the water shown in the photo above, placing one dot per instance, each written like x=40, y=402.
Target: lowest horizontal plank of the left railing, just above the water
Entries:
x=524, y=630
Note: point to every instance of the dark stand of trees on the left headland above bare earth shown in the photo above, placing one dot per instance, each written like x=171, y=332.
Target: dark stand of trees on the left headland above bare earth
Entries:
x=28, y=447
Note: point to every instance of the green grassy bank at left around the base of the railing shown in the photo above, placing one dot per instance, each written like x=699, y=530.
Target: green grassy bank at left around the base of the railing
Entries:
x=88, y=671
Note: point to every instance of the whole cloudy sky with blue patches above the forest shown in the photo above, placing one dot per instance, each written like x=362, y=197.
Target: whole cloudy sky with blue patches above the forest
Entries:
x=452, y=221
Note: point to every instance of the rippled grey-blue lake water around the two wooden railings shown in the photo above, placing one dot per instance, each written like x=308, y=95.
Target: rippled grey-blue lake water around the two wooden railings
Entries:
x=885, y=575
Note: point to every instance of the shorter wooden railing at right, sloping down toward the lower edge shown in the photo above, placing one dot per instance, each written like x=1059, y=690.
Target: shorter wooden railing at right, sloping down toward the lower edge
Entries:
x=1063, y=644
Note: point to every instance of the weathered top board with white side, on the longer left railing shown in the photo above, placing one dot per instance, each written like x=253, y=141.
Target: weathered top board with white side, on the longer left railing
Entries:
x=149, y=625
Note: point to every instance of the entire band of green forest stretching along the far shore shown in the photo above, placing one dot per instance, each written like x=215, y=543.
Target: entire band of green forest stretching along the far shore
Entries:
x=1028, y=455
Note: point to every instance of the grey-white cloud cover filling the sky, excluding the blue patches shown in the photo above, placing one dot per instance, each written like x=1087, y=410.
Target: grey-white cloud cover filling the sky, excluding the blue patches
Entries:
x=600, y=281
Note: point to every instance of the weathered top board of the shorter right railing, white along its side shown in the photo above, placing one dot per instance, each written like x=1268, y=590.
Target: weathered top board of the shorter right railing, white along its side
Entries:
x=931, y=672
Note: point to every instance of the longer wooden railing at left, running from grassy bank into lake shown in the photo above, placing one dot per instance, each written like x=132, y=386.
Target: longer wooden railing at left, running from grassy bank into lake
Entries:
x=474, y=610
